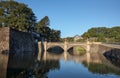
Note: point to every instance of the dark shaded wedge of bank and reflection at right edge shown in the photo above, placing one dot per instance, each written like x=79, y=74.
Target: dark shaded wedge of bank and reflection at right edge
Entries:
x=113, y=56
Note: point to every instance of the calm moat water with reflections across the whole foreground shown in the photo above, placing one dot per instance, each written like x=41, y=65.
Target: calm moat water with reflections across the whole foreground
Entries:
x=93, y=64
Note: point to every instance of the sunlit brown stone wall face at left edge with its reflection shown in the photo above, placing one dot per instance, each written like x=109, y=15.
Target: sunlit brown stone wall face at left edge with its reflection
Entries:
x=4, y=51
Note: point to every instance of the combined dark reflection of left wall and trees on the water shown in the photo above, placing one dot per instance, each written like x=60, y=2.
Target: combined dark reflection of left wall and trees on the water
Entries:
x=25, y=66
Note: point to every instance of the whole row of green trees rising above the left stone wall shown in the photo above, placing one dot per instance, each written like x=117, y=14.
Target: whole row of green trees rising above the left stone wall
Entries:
x=18, y=16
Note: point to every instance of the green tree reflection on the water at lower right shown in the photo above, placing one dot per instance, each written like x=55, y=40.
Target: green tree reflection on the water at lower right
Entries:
x=100, y=68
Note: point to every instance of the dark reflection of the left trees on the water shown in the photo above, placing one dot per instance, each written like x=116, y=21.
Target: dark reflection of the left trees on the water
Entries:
x=43, y=67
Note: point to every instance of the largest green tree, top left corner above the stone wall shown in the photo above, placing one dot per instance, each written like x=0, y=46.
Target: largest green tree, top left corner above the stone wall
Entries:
x=16, y=15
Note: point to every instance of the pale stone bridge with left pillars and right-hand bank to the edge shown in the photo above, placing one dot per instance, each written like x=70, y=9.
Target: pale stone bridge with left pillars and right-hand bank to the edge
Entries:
x=102, y=47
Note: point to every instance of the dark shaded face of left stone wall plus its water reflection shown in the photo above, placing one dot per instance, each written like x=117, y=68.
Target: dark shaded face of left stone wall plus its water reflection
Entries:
x=22, y=49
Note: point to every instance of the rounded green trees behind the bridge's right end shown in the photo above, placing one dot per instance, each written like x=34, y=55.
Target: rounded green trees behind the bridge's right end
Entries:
x=103, y=34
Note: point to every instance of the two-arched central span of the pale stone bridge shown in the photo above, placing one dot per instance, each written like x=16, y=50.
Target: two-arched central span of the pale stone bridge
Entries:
x=66, y=46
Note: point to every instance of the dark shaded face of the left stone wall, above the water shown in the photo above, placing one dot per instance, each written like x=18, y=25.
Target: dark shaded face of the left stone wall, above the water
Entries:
x=21, y=43
